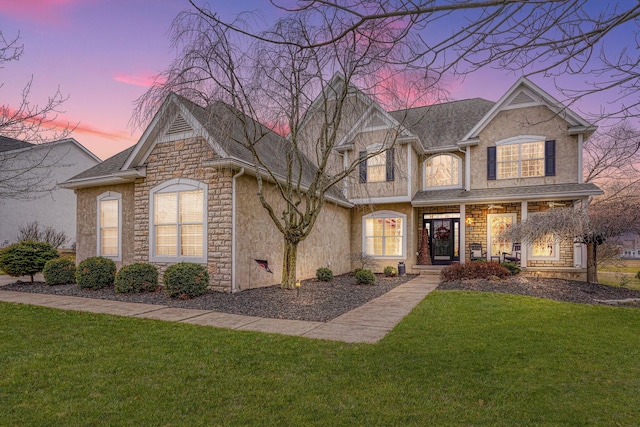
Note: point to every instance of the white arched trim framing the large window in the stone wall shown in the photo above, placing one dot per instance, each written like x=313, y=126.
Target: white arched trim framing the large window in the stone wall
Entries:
x=171, y=186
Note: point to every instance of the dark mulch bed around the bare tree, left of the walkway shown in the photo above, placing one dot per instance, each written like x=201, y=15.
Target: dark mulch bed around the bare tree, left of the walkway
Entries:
x=317, y=301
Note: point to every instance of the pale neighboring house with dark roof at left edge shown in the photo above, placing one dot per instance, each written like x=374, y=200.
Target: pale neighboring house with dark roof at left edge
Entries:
x=48, y=164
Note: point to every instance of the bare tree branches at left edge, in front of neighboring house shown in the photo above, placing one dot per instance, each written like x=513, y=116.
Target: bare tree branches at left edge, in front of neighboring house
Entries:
x=26, y=173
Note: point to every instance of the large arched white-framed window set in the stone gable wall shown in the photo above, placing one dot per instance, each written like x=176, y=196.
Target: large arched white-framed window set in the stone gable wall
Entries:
x=177, y=221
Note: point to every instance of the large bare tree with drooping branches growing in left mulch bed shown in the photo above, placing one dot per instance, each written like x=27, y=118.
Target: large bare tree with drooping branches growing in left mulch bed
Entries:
x=303, y=92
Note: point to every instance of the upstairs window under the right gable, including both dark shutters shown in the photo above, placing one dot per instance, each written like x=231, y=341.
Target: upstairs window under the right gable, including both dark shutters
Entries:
x=524, y=158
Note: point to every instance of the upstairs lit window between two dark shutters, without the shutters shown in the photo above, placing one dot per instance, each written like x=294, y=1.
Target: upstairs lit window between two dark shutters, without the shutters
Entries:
x=521, y=160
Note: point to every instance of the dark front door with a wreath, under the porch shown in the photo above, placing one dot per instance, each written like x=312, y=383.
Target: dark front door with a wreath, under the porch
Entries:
x=443, y=239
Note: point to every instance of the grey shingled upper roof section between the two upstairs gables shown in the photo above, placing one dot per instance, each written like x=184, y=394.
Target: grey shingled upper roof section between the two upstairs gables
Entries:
x=446, y=124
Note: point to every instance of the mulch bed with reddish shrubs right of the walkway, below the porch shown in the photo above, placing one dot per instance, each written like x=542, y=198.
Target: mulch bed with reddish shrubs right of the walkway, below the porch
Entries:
x=555, y=289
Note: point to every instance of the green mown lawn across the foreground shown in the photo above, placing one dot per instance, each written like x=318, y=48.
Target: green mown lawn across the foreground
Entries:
x=460, y=358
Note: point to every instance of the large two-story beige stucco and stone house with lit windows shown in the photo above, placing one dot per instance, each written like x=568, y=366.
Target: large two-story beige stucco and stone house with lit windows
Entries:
x=461, y=170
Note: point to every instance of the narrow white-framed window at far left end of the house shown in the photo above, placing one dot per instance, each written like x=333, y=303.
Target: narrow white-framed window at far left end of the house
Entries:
x=109, y=241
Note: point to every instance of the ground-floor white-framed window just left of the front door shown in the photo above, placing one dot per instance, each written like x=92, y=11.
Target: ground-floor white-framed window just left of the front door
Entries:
x=384, y=234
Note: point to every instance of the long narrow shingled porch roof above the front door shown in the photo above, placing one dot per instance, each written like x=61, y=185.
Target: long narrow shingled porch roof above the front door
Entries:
x=552, y=191
